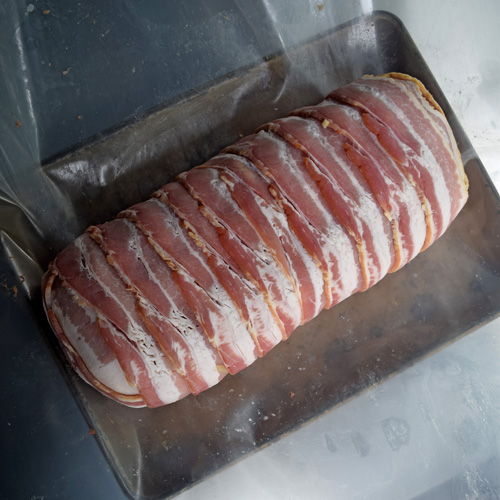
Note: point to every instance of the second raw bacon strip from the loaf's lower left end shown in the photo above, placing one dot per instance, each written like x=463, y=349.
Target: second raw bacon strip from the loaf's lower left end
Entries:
x=84, y=268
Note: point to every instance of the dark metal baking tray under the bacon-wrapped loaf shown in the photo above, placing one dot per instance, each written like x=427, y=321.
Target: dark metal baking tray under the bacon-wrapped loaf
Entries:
x=447, y=291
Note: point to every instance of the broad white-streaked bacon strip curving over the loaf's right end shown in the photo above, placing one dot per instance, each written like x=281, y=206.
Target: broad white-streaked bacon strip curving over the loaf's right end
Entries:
x=414, y=140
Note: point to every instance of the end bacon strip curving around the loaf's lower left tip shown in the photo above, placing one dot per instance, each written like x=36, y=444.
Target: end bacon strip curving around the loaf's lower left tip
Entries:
x=75, y=325
